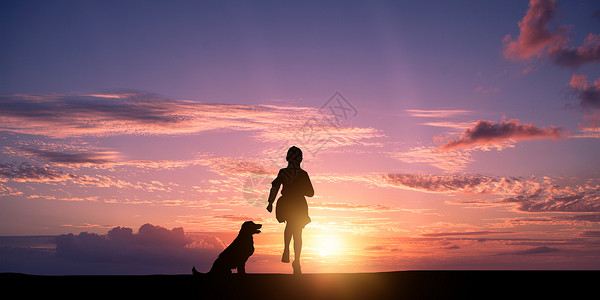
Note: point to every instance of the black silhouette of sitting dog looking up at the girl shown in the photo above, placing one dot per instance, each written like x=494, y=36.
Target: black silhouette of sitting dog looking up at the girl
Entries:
x=237, y=253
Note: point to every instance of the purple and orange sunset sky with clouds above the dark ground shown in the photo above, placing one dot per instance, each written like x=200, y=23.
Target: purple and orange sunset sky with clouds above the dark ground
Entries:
x=437, y=134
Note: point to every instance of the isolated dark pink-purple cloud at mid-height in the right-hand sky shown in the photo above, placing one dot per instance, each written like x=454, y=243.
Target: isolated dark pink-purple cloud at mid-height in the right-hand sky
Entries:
x=487, y=133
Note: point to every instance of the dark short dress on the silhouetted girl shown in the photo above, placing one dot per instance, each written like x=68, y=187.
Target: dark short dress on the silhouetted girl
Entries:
x=291, y=206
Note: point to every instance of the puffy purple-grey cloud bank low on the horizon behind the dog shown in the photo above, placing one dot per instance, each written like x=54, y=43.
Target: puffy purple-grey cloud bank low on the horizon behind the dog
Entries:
x=153, y=247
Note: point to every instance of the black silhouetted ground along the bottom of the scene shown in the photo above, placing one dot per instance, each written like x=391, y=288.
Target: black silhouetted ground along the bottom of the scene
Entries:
x=389, y=285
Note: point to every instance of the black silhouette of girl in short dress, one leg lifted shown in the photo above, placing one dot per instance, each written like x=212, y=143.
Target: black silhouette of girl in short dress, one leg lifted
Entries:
x=291, y=206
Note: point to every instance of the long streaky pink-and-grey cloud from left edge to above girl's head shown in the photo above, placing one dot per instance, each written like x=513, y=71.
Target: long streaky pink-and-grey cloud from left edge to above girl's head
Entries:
x=137, y=113
